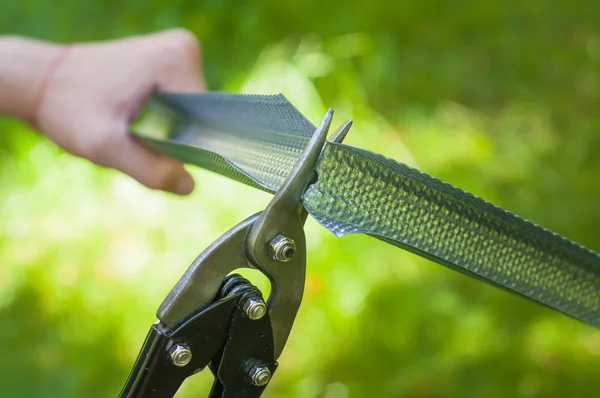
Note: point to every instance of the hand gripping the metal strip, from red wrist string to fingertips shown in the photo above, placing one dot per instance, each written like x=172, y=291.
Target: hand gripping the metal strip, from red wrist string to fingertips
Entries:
x=98, y=89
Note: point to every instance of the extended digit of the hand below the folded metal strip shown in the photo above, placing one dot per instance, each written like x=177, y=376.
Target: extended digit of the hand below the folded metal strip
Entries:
x=148, y=167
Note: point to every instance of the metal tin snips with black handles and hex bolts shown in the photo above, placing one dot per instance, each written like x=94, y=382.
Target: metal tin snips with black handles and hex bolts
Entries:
x=215, y=319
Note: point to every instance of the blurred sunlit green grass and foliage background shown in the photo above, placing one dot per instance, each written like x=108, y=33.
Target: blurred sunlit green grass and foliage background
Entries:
x=499, y=98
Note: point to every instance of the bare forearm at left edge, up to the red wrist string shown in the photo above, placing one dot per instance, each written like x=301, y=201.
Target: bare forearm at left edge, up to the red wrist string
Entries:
x=23, y=63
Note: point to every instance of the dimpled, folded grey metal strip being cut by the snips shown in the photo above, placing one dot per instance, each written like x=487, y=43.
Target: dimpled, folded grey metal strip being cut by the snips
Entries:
x=258, y=139
